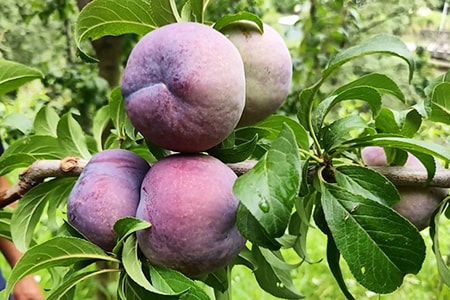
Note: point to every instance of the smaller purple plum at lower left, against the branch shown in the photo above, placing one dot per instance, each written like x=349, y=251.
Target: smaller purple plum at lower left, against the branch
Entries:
x=108, y=189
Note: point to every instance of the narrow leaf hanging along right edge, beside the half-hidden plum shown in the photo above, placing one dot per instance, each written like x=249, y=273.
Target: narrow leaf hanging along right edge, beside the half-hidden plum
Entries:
x=442, y=266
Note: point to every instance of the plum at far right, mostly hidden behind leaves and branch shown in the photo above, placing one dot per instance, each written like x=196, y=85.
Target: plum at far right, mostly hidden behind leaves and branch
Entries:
x=417, y=204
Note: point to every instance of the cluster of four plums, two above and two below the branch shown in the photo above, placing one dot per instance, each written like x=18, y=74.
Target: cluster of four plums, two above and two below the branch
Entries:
x=186, y=87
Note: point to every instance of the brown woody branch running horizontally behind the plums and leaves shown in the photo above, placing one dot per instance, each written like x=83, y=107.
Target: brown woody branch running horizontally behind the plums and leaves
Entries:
x=41, y=170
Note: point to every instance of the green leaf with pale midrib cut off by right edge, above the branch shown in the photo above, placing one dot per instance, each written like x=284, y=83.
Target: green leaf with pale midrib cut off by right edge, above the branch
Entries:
x=440, y=103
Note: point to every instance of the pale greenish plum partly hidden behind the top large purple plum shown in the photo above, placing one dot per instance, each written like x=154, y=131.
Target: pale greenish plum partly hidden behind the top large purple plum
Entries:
x=268, y=69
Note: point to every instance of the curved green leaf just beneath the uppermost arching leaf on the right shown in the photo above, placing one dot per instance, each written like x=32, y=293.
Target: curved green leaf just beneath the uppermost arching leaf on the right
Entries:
x=381, y=82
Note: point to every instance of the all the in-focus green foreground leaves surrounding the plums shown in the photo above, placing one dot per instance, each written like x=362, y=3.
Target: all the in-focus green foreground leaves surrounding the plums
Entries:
x=279, y=199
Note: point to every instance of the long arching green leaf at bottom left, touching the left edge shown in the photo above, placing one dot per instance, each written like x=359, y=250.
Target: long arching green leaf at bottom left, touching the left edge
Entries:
x=57, y=252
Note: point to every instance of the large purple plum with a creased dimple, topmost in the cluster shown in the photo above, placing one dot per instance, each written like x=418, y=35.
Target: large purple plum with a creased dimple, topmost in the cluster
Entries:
x=184, y=87
